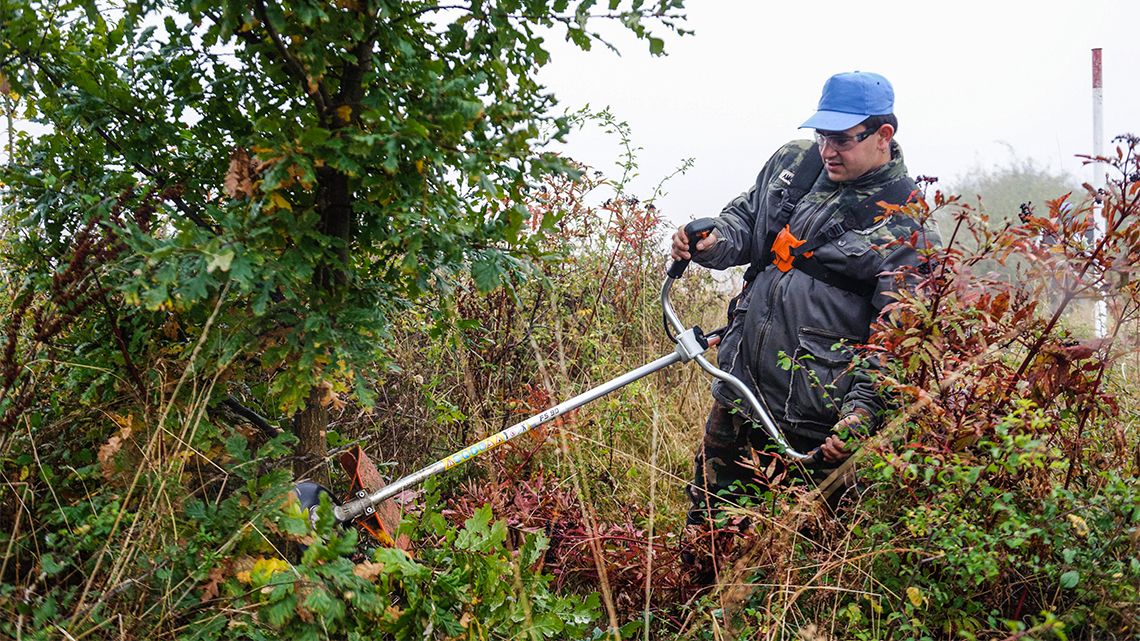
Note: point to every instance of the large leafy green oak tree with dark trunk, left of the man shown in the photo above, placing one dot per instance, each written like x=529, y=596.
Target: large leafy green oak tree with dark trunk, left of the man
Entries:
x=298, y=172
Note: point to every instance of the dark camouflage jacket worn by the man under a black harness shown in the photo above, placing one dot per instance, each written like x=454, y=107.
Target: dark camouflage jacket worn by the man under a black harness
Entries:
x=791, y=337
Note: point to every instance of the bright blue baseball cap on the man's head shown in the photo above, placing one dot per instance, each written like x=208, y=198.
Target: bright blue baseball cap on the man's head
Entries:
x=850, y=99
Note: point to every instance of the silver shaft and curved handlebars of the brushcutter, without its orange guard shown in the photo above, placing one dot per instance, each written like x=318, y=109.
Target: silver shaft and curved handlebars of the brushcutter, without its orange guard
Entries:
x=690, y=345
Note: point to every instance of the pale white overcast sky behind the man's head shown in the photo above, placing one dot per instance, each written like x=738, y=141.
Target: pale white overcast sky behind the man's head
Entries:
x=973, y=79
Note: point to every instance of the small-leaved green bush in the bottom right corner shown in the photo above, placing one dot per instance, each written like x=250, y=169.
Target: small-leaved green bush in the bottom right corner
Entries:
x=966, y=542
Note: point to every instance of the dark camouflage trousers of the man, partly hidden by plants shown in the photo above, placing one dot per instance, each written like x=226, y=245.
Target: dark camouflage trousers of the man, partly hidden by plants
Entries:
x=738, y=461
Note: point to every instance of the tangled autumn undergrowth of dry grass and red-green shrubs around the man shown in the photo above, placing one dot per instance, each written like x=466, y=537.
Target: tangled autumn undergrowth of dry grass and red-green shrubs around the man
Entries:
x=999, y=502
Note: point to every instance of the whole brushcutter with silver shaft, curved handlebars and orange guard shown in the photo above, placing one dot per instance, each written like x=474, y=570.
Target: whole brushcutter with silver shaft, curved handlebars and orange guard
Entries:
x=370, y=506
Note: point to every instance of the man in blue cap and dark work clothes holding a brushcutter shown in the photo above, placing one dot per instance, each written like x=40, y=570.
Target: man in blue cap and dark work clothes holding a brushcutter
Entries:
x=825, y=258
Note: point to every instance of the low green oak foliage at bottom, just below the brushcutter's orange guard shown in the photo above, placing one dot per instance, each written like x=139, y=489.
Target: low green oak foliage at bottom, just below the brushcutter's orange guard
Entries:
x=462, y=582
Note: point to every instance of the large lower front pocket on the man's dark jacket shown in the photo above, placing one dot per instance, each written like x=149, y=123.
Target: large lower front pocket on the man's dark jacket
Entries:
x=820, y=377
